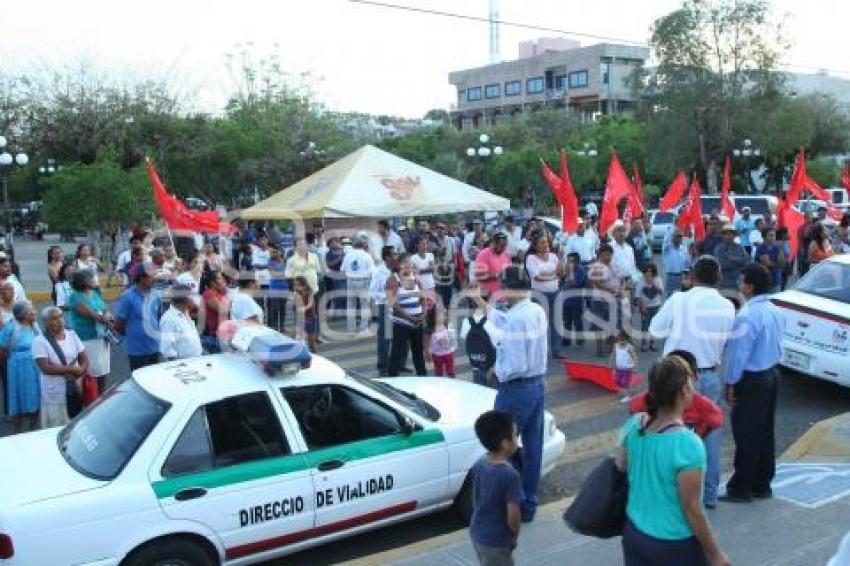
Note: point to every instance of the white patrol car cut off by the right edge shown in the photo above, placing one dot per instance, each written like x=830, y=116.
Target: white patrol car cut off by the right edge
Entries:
x=816, y=339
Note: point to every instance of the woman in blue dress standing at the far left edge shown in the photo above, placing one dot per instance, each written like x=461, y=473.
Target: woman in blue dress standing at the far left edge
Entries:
x=24, y=393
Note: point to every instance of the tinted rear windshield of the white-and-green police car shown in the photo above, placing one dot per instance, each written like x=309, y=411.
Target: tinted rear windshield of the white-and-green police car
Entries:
x=102, y=439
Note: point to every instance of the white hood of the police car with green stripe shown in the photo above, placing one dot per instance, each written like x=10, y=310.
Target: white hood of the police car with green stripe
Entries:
x=458, y=401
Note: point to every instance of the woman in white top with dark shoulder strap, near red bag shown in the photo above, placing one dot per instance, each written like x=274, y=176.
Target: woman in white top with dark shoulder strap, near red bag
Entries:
x=61, y=357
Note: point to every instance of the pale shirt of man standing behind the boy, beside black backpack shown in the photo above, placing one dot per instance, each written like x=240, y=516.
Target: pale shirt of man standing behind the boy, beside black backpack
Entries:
x=523, y=345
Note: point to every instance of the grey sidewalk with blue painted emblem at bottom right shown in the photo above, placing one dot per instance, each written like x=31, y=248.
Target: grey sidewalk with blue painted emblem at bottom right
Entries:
x=801, y=526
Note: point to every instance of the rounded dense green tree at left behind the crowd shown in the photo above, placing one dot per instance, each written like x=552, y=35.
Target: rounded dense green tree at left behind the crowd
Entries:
x=100, y=196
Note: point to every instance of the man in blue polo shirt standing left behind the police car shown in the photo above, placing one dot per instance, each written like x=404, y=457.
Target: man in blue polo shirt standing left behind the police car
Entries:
x=137, y=318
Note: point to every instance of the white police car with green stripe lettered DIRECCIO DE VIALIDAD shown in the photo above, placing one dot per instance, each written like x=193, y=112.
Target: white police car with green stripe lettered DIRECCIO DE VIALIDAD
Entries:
x=211, y=461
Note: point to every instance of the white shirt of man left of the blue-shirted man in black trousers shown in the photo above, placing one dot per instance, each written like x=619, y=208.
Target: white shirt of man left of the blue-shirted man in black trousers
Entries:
x=698, y=321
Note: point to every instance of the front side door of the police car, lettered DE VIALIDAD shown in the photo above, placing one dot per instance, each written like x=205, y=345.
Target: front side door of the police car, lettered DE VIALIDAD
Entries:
x=368, y=462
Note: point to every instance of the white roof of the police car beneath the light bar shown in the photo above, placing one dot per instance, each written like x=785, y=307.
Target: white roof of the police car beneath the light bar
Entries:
x=208, y=378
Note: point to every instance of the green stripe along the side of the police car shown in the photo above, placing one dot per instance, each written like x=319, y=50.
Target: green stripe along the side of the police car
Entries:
x=261, y=469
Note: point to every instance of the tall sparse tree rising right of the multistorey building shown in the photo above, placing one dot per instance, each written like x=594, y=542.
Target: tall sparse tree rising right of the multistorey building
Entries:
x=715, y=58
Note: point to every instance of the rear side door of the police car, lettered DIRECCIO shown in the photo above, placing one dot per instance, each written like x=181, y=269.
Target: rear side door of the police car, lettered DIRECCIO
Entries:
x=232, y=469
